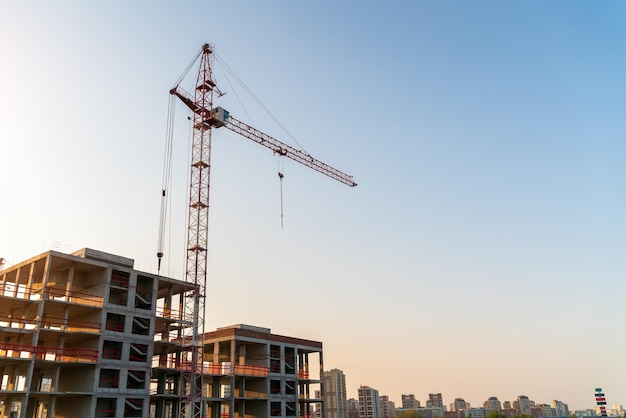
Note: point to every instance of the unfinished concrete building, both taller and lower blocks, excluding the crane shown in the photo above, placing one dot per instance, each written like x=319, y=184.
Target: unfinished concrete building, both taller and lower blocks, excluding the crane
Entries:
x=86, y=335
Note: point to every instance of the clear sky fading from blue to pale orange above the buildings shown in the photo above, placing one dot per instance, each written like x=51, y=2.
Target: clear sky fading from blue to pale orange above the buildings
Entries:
x=482, y=253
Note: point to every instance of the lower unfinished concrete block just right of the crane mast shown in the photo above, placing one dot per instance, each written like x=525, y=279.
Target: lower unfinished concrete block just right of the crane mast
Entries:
x=250, y=372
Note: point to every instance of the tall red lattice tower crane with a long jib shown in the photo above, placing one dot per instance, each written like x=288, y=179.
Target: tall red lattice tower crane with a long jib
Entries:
x=205, y=118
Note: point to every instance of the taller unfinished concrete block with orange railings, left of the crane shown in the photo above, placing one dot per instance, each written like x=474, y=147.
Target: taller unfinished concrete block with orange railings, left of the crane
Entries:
x=76, y=335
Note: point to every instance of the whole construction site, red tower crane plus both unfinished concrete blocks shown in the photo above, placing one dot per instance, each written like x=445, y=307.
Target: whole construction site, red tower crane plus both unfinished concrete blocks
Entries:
x=86, y=335
